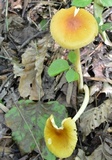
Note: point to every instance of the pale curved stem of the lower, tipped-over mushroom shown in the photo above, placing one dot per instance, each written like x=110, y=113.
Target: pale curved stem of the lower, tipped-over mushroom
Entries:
x=84, y=104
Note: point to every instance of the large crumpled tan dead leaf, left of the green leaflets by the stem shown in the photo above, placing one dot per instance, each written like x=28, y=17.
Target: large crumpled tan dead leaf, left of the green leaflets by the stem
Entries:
x=30, y=70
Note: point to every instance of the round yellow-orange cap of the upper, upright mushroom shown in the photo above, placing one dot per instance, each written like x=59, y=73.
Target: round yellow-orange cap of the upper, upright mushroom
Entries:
x=73, y=28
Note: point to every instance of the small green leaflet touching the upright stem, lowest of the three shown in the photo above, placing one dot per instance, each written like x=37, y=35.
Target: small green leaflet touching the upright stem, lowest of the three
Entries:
x=71, y=76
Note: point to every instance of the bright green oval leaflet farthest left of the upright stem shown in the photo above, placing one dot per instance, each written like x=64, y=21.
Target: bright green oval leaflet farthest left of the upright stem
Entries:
x=58, y=66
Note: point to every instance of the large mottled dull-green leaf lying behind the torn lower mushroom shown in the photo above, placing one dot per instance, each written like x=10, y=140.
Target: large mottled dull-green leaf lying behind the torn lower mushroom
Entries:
x=28, y=119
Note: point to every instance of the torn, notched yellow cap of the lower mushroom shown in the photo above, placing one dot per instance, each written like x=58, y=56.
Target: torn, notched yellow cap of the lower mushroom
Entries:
x=60, y=141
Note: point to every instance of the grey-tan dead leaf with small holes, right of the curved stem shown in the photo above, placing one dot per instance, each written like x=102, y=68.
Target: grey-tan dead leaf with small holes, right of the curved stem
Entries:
x=95, y=116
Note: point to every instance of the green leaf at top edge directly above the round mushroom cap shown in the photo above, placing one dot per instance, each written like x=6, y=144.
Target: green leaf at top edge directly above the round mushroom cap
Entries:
x=81, y=3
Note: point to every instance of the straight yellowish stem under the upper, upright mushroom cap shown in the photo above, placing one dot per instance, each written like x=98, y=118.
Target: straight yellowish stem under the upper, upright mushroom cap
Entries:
x=78, y=68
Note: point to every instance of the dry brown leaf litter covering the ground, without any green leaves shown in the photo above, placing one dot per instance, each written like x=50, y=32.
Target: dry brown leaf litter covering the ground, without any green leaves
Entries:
x=20, y=28
